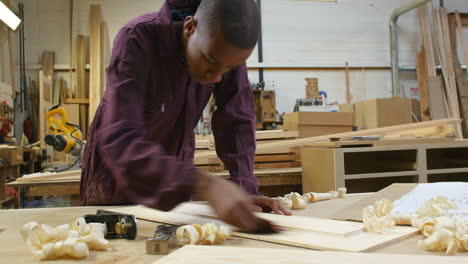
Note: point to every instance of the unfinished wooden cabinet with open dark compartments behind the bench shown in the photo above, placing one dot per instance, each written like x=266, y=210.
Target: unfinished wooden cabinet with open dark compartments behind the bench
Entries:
x=363, y=168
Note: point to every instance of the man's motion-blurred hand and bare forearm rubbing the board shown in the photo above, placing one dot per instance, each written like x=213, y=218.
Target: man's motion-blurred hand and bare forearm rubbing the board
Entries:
x=231, y=203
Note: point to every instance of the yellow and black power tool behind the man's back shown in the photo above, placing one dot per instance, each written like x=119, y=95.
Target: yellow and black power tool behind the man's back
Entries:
x=66, y=137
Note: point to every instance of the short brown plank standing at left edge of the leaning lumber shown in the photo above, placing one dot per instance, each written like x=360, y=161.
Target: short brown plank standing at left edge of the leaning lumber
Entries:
x=421, y=66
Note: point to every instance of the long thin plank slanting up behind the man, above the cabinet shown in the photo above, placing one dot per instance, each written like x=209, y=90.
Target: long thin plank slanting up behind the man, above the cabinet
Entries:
x=375, y=131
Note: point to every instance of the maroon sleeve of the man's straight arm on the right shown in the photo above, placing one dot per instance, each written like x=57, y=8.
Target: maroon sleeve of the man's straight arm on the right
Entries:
x=233, y=126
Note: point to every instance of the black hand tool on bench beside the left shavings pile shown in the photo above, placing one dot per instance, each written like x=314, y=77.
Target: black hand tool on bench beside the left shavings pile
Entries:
x=118, y=225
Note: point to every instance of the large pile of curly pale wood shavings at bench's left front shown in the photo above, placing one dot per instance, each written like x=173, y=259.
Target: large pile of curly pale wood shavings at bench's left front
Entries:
x=75, y=240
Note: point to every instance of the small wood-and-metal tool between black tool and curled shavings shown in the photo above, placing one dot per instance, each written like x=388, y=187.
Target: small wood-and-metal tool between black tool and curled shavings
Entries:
x=163, y=240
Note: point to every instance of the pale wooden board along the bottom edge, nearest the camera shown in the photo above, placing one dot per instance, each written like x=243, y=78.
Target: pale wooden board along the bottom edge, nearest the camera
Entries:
x=229, y=255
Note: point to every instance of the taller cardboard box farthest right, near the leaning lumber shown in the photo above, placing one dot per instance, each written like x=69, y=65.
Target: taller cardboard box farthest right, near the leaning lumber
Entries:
x=382, y=113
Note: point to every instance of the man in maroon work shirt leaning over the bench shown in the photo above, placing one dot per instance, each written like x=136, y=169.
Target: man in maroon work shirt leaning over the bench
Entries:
x=161, y=75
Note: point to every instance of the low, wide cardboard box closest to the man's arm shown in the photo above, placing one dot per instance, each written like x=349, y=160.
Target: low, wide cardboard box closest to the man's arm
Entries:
x=312, y=124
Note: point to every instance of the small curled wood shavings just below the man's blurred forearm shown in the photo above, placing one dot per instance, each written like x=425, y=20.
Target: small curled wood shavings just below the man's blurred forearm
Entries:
x=208, y=234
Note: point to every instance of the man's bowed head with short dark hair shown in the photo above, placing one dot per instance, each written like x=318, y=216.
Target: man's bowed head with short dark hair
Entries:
x=221, y=36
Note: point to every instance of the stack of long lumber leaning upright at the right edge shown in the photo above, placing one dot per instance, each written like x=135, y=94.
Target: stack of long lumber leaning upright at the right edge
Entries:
x=439, y=41
